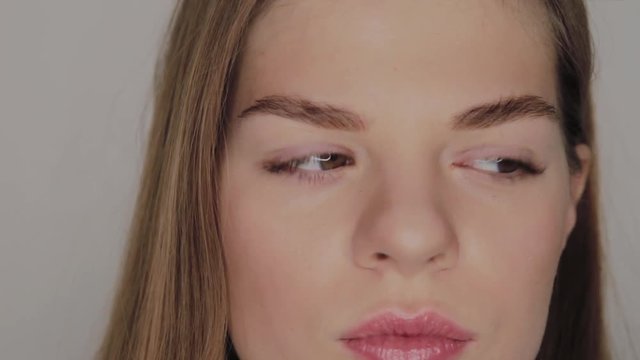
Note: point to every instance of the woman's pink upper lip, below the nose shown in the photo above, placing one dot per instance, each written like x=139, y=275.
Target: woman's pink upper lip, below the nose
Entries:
x=427, y=323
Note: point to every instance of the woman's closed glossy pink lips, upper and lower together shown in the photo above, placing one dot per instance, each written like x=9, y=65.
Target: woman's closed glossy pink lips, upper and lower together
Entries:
x=426, y=336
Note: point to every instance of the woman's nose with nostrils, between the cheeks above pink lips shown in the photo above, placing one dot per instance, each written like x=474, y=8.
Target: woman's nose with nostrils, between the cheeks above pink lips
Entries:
x=405, y=227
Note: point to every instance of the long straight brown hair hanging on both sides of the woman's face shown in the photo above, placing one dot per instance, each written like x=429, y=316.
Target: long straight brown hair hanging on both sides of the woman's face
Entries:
x=172, y=303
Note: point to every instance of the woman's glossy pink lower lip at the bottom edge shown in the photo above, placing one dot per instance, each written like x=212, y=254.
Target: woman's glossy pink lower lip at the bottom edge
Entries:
x=406, y=347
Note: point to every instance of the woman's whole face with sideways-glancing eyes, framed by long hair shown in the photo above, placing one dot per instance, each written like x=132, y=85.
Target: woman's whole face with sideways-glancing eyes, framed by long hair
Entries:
x=397, y=159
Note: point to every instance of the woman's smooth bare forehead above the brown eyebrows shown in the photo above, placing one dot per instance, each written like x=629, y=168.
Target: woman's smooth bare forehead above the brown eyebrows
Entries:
x=422, y=54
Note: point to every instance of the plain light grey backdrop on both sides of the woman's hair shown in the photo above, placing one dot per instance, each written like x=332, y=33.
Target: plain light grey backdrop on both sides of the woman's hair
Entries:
x=75, y=96
